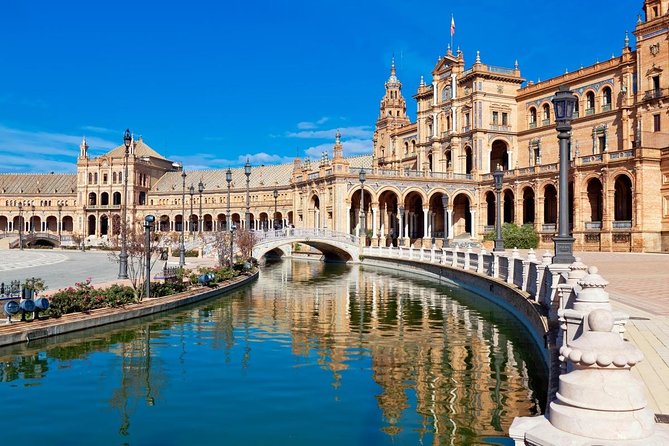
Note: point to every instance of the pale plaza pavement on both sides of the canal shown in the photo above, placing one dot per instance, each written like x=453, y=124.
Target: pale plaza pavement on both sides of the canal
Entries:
x=638, y=285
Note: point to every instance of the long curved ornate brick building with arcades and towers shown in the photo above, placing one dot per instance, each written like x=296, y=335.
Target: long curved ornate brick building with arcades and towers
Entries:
x=428, y=181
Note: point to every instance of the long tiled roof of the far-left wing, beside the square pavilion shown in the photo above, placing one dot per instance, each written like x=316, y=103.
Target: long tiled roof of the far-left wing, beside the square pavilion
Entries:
x=34, y=183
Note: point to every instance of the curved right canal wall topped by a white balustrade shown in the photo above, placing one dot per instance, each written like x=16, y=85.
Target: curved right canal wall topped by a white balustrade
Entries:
x=518, y=285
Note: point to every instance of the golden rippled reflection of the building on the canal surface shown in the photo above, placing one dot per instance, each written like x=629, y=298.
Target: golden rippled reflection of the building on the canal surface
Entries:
x=445, y=363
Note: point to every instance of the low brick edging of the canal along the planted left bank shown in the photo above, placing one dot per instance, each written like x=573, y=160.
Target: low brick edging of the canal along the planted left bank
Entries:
x=19, y=332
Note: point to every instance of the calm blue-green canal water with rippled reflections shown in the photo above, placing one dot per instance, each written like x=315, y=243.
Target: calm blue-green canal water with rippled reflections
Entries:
x=310, y=354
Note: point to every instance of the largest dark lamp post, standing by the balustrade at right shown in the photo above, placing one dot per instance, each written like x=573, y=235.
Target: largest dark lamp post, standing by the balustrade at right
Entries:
x=564, y=103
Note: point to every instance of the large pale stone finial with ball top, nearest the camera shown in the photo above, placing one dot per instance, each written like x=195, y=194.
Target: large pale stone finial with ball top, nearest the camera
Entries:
x=600, y=401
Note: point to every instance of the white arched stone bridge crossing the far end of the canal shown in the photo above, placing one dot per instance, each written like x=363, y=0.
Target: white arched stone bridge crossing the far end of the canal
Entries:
x=335, y=246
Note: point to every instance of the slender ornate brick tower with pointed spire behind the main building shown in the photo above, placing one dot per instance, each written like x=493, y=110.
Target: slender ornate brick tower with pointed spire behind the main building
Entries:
x=392, y=116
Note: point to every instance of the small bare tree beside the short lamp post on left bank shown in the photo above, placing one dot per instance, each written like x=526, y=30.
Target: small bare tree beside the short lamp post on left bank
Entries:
x=136, y=250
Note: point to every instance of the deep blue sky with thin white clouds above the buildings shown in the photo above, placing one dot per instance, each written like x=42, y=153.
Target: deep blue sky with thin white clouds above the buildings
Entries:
x=208, y=83
